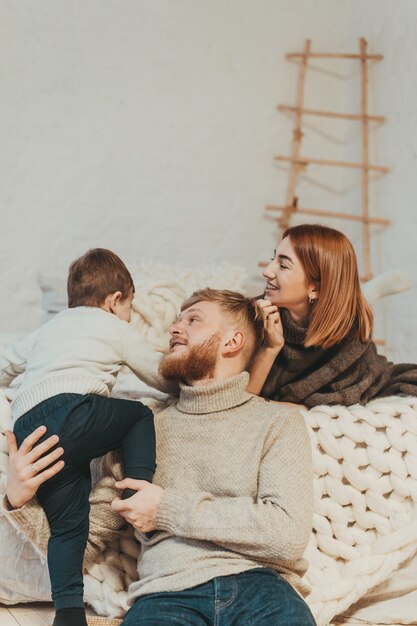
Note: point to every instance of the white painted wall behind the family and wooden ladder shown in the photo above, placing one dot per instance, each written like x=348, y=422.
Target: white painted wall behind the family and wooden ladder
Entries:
x=150, y=127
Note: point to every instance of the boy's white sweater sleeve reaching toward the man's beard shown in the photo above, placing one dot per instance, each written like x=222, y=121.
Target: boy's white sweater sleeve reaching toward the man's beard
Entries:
x=144, y=361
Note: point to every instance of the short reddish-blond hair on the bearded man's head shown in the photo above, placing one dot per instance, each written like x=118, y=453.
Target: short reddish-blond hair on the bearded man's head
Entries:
x=240, y=309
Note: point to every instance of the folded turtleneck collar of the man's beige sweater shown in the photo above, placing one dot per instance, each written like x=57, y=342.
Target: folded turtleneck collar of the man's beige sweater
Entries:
x=214, y=397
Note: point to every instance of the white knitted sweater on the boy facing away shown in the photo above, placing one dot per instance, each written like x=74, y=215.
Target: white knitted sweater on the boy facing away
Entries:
x=81, y=350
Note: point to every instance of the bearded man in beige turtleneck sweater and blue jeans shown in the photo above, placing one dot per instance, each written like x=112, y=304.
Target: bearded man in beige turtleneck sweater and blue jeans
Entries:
x=224, y=525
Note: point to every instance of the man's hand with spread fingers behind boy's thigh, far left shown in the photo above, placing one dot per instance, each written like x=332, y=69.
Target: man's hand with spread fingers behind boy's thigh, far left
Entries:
x=25, y=465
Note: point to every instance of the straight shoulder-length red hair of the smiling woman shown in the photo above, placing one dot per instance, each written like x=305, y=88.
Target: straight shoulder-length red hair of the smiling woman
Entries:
x=329, y=262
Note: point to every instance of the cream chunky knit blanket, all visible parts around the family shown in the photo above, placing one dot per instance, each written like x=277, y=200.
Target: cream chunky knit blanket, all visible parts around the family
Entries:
x=365, y=466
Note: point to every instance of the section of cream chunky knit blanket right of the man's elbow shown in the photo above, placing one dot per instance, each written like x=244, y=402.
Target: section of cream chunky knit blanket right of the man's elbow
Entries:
x=365, y=507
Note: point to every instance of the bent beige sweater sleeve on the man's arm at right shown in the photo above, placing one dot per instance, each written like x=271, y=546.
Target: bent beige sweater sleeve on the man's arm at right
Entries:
x=272, y=525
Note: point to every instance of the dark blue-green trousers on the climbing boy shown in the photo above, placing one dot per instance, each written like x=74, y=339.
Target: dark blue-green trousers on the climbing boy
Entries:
x=88, y=427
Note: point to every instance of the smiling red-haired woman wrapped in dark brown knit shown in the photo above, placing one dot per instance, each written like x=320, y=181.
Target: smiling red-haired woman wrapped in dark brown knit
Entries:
x=318, y=326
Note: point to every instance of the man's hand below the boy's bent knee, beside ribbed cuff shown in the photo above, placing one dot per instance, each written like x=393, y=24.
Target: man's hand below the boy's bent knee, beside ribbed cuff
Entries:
x=140, y=509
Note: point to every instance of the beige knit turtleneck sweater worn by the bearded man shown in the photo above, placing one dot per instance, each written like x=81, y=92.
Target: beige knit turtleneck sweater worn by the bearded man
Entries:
x=237, y=477
